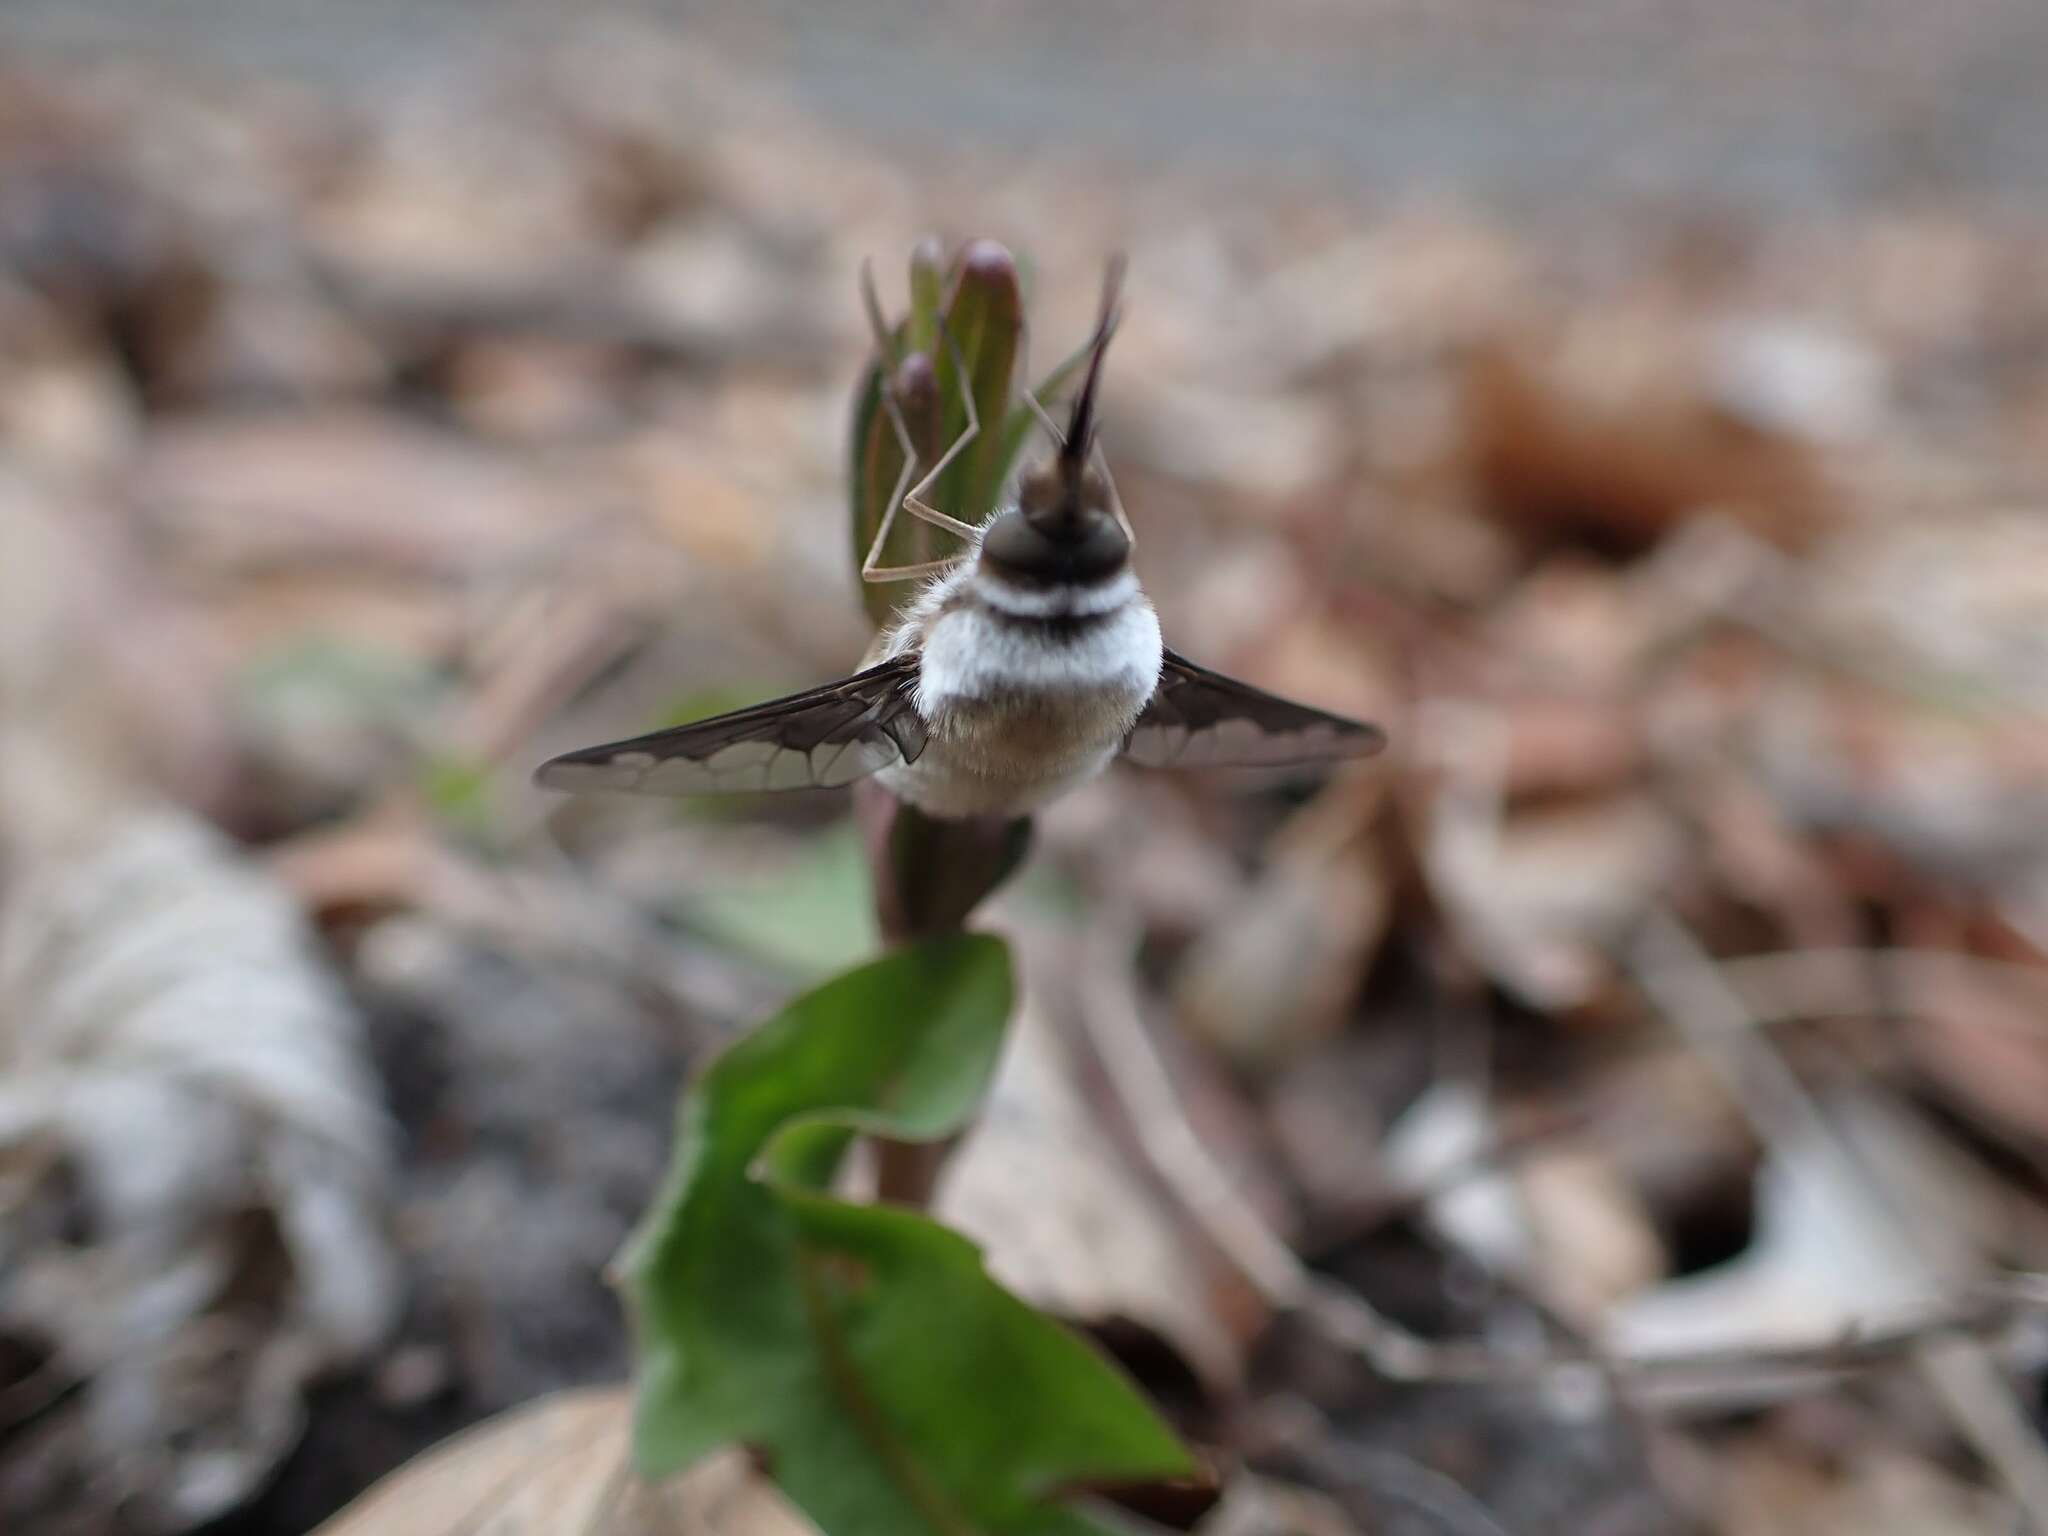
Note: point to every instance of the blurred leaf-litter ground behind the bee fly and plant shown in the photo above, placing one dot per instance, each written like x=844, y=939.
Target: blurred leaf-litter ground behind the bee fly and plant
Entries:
x=1637, y=409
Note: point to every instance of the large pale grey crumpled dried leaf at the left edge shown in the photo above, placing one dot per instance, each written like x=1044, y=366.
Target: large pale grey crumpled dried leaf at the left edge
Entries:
x=177, y=1062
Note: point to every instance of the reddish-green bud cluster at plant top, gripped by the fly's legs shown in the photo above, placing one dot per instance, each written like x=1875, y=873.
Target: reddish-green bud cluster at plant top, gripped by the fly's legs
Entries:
x=921, y=368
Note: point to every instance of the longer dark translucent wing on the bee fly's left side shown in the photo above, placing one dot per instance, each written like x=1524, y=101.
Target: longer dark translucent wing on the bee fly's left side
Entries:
x=812, y=740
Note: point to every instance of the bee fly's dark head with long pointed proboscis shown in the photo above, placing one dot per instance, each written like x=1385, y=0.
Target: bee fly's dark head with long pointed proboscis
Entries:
x=1066, y=527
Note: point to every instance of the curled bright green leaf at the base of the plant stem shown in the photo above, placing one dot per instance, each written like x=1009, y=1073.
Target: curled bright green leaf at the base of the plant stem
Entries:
x=863, y=1353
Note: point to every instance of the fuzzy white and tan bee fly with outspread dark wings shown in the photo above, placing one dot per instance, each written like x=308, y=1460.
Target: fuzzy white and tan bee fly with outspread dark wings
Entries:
x=1019, y=671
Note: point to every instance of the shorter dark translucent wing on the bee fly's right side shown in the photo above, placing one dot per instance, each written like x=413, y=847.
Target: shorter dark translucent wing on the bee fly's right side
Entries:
x=1203, y=720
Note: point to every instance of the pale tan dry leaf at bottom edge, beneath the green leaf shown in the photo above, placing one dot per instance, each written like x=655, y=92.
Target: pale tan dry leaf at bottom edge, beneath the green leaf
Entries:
x=562, y=1467
